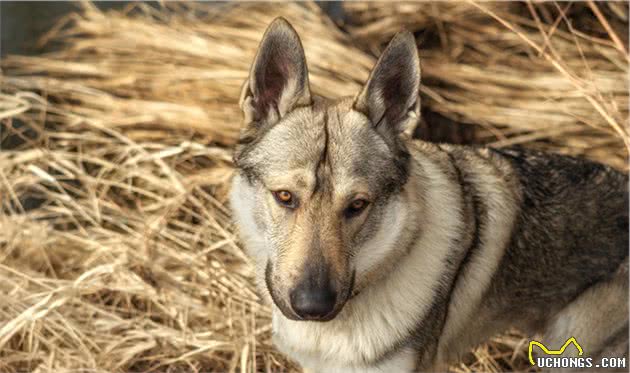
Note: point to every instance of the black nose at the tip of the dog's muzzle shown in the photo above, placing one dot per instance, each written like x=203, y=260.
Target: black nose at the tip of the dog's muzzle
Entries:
x=313, y=303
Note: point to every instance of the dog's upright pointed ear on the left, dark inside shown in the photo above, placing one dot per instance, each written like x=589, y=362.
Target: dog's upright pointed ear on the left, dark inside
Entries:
x=278, y=79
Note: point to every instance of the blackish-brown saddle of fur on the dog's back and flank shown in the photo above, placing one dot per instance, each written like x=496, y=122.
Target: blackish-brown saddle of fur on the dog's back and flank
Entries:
x=573, y=222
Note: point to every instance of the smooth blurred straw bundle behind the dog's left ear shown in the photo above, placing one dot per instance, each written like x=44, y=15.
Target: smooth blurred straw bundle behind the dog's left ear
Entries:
x=179, y=68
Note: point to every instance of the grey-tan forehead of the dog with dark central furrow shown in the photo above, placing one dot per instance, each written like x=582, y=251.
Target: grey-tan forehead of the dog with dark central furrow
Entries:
x=328, y=144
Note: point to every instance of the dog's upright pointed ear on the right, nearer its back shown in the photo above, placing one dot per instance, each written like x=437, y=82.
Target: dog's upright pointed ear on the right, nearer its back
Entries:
x=390, y=97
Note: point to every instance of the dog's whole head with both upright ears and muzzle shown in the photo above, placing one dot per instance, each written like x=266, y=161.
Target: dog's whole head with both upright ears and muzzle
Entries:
x=319, y=181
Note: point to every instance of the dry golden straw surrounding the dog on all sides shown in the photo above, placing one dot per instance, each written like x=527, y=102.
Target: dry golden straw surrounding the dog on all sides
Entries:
x=116, y=250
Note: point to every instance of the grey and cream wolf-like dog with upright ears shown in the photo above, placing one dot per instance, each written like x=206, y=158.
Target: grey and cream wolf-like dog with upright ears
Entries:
x=378, y=252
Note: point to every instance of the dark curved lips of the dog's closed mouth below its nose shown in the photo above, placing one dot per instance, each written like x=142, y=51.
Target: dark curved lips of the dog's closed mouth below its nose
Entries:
x=346, y=294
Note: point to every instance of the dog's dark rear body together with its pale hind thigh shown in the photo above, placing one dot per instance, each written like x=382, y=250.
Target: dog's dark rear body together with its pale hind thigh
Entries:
x=567, y=262
